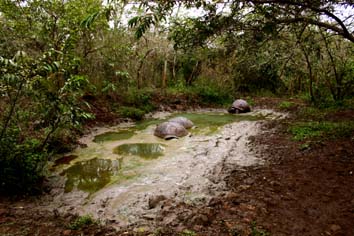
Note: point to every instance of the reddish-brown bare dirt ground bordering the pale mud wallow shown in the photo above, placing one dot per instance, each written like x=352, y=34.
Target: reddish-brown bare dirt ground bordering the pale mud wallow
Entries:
x=297, y=192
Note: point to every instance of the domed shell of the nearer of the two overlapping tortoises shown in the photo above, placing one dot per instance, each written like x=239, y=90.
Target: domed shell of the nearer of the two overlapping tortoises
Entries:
x=168, y=130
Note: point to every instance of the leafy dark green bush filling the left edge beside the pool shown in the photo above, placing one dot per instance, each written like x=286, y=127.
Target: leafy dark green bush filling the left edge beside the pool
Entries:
x=40, y=89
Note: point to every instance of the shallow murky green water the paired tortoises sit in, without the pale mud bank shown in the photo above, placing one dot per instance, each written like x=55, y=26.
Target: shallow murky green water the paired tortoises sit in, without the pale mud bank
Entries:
x=121, y=154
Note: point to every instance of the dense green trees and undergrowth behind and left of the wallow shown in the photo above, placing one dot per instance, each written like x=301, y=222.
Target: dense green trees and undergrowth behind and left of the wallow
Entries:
x=59, y=59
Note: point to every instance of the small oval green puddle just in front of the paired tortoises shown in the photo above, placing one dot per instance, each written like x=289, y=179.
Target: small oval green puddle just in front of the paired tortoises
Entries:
x=144, y=150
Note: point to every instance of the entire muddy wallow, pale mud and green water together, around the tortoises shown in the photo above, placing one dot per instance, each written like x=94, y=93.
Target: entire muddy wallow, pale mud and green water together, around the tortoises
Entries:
x=111, y=181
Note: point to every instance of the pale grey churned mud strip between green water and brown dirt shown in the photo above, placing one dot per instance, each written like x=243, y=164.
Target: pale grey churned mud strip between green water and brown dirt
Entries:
x=193, y=175
